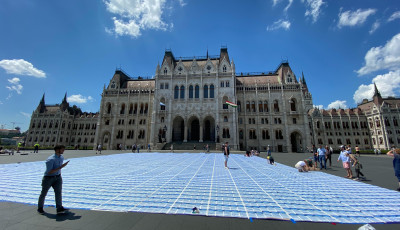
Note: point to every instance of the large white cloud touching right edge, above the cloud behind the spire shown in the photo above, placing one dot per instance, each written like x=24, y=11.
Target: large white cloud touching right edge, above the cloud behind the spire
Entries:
x=382, y=57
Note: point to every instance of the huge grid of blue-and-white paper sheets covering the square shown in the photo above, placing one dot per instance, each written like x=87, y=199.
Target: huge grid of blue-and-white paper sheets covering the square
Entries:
x=176, y=183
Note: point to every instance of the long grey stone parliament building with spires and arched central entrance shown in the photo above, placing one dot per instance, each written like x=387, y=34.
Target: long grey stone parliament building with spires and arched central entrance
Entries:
x=186, y=101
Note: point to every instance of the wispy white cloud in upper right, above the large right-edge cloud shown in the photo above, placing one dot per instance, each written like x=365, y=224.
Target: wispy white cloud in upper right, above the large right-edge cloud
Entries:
x=354, y=18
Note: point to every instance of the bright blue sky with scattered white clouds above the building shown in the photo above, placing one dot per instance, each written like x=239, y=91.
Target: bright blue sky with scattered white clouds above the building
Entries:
x=57, y=47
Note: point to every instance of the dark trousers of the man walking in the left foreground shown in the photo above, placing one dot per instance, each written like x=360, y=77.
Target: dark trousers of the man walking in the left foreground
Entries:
x=56, y=183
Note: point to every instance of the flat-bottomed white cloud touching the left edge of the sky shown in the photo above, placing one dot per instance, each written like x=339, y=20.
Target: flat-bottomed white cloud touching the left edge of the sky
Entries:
x=21, y=67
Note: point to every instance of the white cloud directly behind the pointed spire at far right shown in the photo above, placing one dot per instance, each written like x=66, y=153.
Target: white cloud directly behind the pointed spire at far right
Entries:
x=388, y=85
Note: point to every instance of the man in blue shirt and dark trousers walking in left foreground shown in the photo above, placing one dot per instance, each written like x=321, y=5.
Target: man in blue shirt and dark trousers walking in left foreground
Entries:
x=52, y=178
